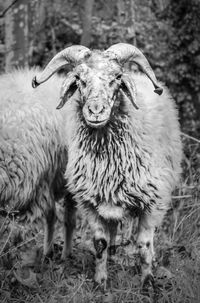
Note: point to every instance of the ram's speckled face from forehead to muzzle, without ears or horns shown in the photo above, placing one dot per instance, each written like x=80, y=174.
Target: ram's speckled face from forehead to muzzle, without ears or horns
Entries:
x=98, y=90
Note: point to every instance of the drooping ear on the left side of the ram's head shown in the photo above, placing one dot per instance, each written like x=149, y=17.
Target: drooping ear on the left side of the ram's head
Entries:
x=68, y=89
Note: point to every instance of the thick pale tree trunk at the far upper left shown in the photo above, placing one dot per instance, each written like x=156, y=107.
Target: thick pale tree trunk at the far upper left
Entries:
x=16, y=35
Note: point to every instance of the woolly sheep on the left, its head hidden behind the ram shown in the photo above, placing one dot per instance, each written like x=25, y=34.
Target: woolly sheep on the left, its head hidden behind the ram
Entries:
x=32, y=153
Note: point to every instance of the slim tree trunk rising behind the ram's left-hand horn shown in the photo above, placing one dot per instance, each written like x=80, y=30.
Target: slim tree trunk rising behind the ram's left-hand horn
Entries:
x=87, y=20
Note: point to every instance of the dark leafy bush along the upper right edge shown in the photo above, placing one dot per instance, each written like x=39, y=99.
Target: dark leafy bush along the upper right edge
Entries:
x=183, y=60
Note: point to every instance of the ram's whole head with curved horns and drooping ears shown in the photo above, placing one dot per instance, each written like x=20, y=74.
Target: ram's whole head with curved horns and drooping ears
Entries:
x=98, y=77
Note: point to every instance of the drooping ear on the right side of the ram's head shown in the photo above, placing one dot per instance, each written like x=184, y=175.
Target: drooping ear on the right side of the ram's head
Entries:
x=128, y=89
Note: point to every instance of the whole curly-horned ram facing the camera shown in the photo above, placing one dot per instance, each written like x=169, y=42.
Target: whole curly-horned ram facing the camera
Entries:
x=123, y=144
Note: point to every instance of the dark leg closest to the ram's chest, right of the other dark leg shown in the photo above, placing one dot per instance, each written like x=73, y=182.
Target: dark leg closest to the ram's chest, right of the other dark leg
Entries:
x=69, y=225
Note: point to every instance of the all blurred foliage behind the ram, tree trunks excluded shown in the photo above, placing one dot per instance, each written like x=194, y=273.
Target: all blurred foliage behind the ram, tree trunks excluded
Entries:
x=168, y=35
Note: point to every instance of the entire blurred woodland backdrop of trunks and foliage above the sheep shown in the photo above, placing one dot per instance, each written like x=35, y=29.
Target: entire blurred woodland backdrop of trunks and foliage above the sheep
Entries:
x=167, y=31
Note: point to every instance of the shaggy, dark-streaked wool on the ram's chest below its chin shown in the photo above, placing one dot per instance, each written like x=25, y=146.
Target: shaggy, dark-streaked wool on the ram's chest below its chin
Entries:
x=108, y=171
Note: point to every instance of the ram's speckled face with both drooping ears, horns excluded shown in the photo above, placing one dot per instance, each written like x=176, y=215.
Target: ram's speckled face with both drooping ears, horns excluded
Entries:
x=98, y=81
